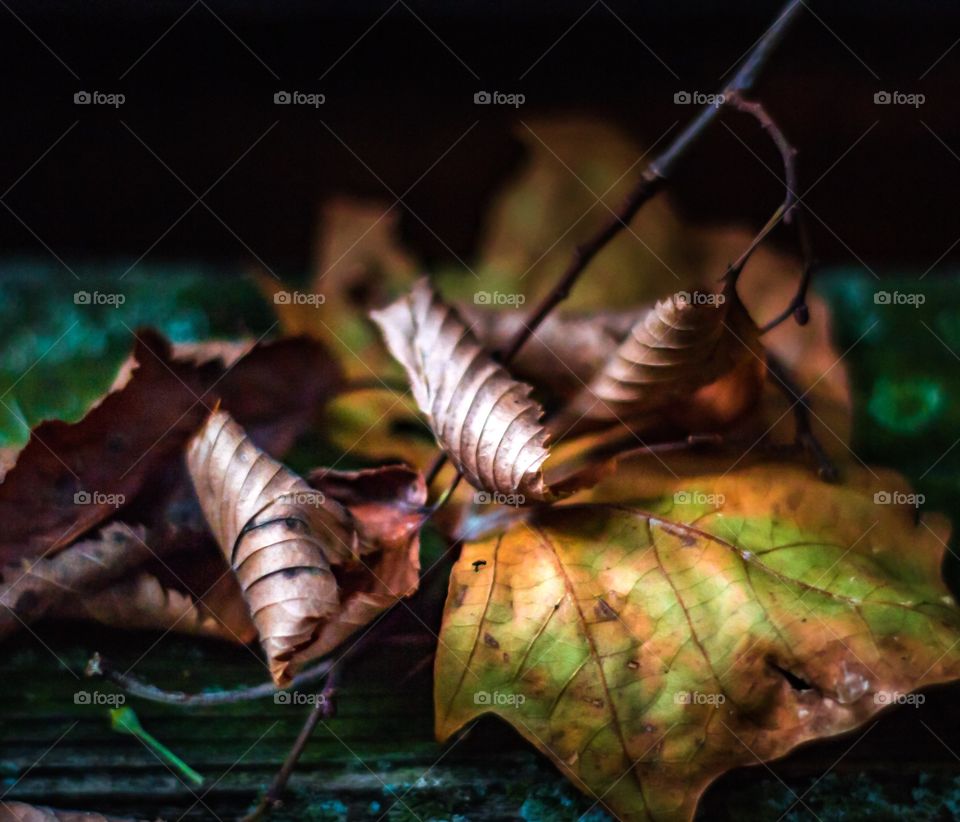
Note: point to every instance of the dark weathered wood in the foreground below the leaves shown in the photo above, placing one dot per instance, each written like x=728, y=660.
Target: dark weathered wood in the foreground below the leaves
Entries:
x=377, y=758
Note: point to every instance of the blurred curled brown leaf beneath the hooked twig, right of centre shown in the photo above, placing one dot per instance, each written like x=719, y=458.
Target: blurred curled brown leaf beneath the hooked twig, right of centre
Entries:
x=684, y=343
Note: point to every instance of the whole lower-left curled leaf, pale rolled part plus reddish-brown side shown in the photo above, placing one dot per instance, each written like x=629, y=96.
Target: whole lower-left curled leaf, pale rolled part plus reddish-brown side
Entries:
x=315, y=561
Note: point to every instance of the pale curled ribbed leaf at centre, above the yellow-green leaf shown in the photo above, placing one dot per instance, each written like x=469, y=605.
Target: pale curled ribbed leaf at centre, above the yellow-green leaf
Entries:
x=482, y=418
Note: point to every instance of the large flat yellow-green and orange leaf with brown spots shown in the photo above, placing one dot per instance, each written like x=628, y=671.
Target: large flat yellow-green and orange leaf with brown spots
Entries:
x=647, y=650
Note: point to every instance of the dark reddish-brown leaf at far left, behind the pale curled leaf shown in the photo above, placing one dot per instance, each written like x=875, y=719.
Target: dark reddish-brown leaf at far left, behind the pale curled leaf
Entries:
x=70, y=477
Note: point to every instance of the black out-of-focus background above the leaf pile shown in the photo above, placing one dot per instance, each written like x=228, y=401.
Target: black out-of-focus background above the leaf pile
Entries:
x=199, y=81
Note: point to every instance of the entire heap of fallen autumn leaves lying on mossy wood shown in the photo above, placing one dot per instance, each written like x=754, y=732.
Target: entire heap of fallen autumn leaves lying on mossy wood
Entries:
x=675, y=594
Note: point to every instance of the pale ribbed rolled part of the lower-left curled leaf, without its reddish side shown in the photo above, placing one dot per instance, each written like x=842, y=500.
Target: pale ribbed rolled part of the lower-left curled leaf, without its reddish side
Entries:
x=279, y=535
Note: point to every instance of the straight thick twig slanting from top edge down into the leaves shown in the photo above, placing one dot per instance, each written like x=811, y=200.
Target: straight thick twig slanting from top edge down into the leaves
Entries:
x=652, y=179
